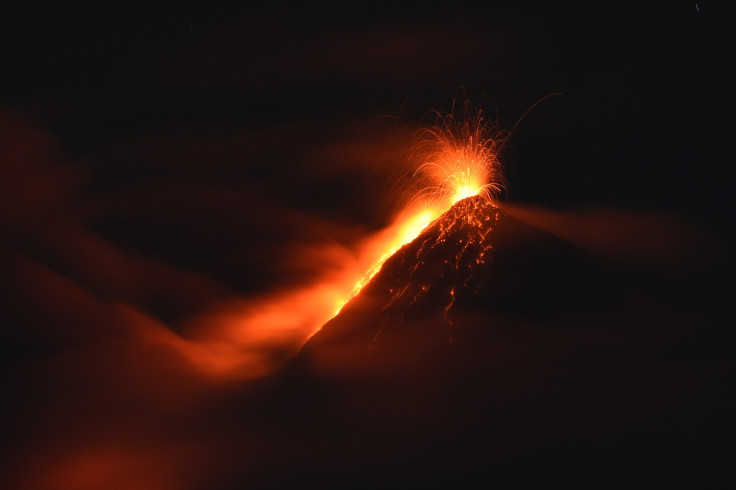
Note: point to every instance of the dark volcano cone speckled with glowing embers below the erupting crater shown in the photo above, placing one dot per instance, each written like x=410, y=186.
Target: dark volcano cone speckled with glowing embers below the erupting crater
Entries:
x=473, y=258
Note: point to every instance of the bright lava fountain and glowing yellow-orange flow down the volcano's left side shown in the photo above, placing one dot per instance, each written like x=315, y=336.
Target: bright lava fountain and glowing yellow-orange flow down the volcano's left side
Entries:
x=458, y=158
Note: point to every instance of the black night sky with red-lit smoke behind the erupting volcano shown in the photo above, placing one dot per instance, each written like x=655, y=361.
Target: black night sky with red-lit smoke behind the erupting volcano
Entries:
x=169, y=165
